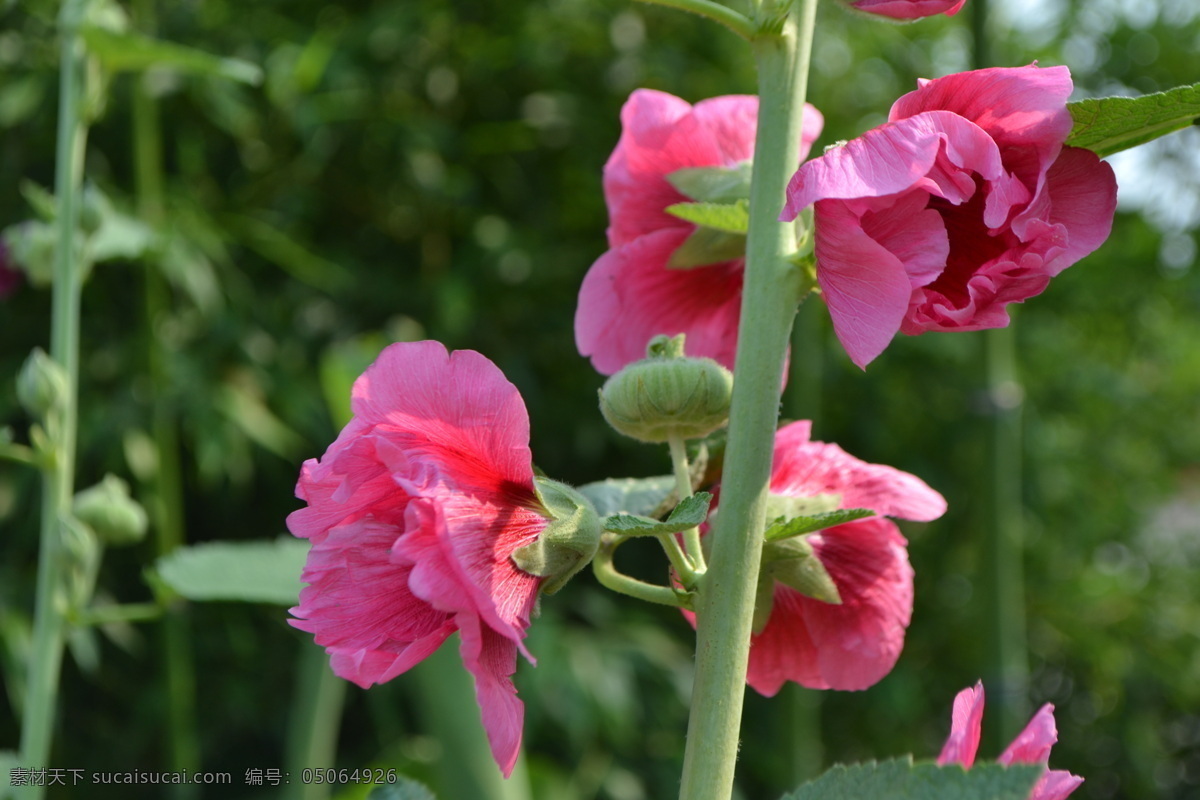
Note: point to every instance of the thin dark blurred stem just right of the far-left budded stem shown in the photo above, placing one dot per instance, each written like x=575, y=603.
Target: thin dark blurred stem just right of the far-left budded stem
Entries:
x=166, y=485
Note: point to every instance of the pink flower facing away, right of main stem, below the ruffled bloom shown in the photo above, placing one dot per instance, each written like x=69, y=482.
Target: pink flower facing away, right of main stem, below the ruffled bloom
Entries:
x=855, y=645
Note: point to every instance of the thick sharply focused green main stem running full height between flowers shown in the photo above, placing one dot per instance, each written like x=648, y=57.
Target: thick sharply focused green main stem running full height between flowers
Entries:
x=771, y=293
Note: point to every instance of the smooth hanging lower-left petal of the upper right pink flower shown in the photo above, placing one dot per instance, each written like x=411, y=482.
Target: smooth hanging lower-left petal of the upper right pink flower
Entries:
x=865, y=286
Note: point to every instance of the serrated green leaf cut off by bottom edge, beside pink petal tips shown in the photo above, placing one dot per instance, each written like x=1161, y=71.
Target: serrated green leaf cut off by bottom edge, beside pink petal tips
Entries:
x=899, y=779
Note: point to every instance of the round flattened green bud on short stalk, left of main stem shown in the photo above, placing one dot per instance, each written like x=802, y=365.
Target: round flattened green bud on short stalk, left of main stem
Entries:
x=668, y=395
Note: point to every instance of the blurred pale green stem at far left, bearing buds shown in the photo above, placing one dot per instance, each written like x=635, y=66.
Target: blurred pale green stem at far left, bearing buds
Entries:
x=46, y=654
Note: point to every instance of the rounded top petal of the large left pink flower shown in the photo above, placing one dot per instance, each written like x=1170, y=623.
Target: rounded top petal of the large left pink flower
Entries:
x=454, y=410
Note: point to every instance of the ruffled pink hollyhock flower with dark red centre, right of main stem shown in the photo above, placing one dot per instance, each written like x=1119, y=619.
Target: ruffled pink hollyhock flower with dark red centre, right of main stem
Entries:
x=964, y=202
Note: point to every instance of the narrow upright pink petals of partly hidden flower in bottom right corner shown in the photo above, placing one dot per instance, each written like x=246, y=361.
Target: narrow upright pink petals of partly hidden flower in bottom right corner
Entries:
x=1031, y=747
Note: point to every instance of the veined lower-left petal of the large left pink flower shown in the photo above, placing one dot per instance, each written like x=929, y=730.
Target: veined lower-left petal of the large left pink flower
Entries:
x=359, y=606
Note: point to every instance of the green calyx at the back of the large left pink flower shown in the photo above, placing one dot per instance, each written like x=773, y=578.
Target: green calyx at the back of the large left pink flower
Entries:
x=568, y=544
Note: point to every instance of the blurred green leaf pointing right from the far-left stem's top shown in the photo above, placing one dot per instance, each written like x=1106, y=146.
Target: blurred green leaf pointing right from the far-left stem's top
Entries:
x=128, y=51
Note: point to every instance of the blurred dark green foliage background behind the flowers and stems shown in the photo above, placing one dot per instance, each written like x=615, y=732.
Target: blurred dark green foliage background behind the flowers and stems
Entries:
x=433, y=170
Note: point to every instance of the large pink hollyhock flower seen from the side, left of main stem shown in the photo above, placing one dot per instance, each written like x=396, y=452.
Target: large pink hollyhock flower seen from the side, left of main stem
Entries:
x=413, y=515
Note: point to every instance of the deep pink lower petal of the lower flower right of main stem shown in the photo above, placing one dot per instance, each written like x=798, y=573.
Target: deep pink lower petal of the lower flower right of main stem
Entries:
x=848, y=647
